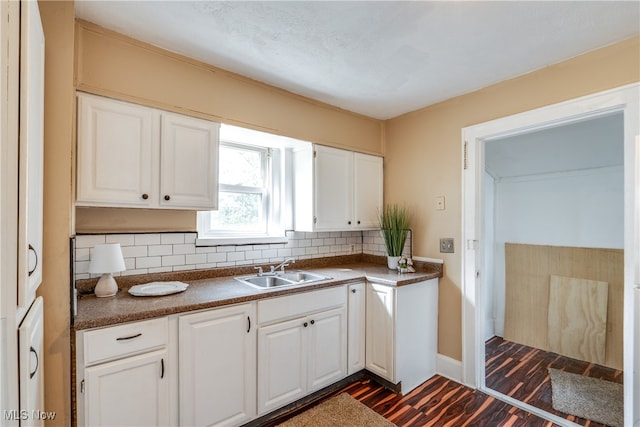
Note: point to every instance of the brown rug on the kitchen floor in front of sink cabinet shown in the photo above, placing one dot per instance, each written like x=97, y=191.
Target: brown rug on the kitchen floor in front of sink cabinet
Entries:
x=341, y=410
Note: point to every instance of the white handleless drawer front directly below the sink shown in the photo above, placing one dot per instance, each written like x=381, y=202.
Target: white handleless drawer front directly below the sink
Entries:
x=291, y=306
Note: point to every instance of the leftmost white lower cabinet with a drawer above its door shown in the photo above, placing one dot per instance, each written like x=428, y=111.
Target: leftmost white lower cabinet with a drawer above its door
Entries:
x=122, y=375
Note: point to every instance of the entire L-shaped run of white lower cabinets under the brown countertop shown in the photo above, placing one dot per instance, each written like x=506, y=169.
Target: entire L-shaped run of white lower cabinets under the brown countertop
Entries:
x=226, y=366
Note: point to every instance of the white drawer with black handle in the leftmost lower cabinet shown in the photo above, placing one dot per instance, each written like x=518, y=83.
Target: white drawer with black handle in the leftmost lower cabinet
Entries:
x=124, y=340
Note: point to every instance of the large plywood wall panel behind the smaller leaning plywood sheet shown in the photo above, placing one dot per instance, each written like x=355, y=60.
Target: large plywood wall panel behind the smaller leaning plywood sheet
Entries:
x=528, y=270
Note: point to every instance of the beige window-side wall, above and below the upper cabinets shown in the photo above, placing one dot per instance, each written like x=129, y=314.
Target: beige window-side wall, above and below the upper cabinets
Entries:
x=111, y=64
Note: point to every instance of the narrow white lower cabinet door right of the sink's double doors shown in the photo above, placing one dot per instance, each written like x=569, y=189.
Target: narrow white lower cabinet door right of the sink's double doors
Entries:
x=356, y=328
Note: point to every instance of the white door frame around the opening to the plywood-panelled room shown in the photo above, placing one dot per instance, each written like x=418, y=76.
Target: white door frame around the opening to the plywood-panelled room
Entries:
x=625, y=99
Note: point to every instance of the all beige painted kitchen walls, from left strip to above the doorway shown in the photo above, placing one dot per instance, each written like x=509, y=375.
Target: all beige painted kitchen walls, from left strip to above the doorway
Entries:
x=423, y=158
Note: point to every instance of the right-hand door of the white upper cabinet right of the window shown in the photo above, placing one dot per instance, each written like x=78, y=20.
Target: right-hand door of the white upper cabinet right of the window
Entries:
x=367, y=190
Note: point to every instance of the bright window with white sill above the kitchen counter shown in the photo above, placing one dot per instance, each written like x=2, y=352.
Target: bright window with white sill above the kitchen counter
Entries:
x=251, y=196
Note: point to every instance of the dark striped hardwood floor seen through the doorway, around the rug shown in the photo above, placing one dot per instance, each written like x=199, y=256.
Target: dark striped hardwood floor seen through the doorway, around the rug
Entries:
x=521, y=372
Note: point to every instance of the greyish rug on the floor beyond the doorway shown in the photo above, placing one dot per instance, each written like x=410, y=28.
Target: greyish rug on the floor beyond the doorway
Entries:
x=590, y=398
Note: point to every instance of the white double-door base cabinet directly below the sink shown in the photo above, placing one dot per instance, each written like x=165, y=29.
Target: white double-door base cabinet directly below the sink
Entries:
x=302, y=345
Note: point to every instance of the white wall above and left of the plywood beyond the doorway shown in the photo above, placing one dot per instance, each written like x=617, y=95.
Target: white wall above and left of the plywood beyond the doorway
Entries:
x=581, y=209
